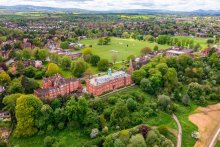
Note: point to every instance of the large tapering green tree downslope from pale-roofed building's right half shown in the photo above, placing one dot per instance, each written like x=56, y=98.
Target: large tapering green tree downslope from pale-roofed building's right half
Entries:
x=119, y=115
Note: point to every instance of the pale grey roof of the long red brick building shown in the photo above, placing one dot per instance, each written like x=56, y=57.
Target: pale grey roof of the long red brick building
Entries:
x=103, y=79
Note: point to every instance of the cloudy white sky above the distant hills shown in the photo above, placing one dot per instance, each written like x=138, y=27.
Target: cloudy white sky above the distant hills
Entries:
x=179, y=5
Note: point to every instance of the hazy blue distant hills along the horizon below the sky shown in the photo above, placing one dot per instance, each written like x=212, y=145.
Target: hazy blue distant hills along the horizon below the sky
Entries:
x=30, y=8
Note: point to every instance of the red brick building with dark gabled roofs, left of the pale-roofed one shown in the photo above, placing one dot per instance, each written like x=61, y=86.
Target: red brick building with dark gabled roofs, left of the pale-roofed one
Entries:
x=57, y=85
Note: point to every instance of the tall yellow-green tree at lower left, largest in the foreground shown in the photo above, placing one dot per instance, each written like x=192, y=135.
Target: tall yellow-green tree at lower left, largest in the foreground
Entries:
x=27, y=111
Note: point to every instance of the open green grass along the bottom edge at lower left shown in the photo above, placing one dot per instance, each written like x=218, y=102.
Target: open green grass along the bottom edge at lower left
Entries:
x=70, y=138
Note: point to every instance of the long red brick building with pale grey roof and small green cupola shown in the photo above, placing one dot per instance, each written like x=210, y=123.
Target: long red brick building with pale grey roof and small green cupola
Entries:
x=99, y=85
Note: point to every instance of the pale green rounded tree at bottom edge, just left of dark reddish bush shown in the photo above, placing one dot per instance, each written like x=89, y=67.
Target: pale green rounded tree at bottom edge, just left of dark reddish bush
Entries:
x=137, y=141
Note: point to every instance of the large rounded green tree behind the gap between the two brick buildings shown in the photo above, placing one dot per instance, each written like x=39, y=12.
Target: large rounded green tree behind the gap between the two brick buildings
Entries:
x=78, y=68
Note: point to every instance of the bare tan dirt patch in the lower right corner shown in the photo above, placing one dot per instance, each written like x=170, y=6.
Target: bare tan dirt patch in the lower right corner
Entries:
x=207, y=119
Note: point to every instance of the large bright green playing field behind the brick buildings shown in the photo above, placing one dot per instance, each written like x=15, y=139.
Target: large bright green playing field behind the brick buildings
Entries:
x=118, y=46
